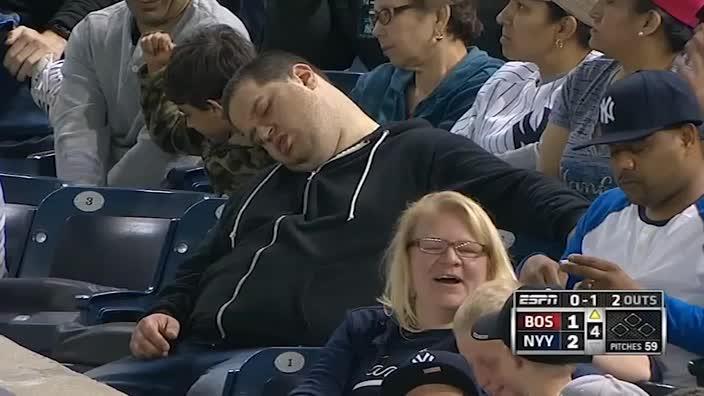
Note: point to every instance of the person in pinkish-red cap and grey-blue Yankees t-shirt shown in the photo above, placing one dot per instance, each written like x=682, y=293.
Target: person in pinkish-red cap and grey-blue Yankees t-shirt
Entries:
x=634, y=35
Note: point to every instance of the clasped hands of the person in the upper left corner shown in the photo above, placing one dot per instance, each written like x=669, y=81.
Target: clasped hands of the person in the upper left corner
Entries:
x=27, y=47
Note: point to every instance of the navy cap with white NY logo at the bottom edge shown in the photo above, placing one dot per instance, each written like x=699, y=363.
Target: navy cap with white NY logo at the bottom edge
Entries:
x=431, y=367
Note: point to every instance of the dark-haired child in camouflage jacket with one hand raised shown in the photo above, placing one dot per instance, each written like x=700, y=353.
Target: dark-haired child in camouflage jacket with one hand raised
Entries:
x=180, y=93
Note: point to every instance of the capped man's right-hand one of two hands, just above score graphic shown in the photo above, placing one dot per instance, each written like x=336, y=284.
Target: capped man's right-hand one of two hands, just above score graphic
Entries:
x=599, y=274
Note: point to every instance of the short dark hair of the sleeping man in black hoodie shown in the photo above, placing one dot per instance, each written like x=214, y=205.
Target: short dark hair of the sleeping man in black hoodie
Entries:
x=269, y=66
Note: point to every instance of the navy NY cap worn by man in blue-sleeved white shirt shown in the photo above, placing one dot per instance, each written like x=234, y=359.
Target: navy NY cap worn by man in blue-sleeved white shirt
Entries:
x=643, y=103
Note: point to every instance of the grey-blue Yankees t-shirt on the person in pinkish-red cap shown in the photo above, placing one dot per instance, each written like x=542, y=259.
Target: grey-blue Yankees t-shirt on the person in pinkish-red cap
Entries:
x=577, y=110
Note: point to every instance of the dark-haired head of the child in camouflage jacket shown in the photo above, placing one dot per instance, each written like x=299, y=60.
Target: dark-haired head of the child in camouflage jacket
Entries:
x=198, y=71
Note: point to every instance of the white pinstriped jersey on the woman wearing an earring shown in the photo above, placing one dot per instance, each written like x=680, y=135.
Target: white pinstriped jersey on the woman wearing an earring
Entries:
x=511, y=112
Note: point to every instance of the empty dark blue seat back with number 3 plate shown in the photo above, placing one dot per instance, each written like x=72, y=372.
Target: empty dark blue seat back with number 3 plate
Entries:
x=107, y=236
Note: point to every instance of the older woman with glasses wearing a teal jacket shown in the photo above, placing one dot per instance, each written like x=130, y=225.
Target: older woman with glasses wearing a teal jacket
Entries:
x=434, y=72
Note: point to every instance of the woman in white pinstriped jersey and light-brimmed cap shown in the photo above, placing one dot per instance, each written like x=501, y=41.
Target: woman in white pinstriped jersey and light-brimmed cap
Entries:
x=547, y=39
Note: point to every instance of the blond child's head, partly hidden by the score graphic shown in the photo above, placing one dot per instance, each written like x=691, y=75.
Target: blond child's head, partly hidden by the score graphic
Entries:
x=482, y=329
